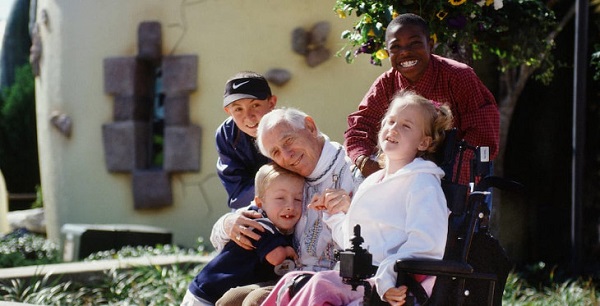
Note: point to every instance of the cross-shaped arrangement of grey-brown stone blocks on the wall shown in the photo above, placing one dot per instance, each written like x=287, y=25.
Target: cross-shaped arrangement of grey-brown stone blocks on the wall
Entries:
x=151, y=136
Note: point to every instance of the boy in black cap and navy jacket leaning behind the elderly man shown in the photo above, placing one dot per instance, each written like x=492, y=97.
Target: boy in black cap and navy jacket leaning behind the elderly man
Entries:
x=246, y=100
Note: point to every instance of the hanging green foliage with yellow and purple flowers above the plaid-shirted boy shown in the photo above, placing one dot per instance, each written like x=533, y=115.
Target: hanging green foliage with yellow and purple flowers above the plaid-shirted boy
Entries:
x=513, y=30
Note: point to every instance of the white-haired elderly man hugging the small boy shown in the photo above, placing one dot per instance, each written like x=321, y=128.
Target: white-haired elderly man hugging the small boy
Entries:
x=292, y=140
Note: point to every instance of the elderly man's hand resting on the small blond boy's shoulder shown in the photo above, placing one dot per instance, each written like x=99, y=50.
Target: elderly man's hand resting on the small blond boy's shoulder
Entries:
x=240, y=228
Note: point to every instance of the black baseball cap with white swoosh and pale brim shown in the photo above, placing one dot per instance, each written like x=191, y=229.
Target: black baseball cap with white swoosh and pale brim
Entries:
x=246, y=88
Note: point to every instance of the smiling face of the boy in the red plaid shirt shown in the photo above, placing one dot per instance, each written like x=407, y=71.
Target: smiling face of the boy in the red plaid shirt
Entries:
x=409, y=49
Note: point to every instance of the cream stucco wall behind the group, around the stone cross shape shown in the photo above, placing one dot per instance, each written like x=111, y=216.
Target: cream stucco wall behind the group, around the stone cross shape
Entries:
x=227, y=36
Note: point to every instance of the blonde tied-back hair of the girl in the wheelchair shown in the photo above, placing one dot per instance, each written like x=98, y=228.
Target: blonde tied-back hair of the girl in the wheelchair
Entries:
x=438, y=119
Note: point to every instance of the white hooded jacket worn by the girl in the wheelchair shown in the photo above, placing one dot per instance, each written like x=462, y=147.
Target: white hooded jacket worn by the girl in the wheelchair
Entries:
x=401, y=216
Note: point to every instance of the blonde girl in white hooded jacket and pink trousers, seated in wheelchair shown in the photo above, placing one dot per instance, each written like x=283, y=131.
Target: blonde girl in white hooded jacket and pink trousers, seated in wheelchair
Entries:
x=401, y=209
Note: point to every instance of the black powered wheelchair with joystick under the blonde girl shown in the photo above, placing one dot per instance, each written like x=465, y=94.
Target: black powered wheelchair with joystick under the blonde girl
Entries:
x=475, y=267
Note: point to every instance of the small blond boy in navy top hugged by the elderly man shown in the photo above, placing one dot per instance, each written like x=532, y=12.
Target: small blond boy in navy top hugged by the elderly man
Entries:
x=279, y=199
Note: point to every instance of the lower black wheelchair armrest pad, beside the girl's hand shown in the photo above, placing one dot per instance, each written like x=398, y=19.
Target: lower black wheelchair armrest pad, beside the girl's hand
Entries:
x=433, y=267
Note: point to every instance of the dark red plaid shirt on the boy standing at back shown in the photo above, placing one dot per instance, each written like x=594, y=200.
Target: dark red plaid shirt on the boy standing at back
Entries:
x=474, y=108
